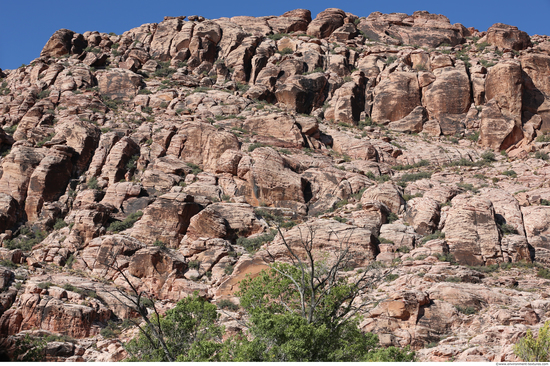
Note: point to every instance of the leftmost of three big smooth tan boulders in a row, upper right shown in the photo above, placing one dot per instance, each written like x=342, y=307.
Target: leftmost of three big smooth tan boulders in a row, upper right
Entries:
x=395, y=97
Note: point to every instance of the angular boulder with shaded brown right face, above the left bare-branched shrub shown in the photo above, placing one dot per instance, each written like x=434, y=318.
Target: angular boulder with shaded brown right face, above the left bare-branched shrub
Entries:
x=167, y=219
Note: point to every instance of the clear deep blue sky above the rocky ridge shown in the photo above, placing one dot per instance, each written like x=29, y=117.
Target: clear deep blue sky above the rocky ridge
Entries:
x=26, y=26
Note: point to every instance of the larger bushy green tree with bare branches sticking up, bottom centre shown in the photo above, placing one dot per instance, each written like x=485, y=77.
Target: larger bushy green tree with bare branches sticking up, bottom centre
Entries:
x=307, y=310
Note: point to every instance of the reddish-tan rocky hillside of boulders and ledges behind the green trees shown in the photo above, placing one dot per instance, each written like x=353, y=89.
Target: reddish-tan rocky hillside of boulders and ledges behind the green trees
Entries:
x=174, y=150
